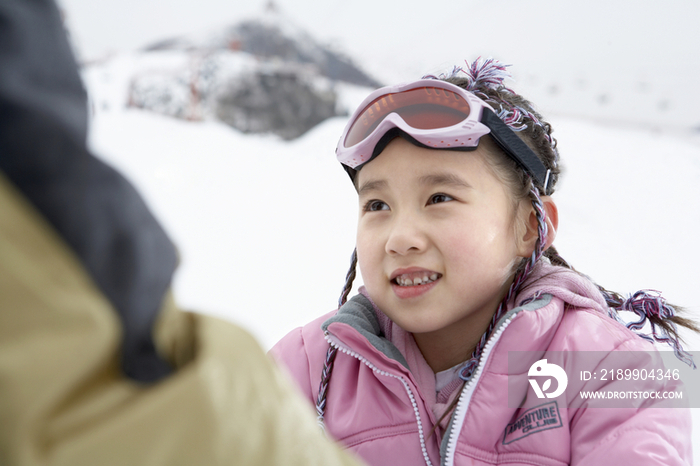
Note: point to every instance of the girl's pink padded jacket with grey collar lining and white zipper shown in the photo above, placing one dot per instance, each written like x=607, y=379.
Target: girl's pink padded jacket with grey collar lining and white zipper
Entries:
x=376, y=409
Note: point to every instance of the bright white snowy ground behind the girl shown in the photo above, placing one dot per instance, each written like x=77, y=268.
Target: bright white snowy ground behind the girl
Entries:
x=265, y=228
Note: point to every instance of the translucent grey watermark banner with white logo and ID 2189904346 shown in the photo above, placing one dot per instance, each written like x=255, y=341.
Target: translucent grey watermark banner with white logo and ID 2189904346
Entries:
x=602, y=379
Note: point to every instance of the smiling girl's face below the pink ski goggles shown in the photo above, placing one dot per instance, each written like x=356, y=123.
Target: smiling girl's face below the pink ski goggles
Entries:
x=437, y=239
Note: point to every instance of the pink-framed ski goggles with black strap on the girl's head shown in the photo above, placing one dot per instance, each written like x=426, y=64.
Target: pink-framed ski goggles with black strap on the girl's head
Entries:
x=433, y=114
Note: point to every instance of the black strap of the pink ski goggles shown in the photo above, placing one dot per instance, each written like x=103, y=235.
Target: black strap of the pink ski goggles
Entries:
x=516, y=148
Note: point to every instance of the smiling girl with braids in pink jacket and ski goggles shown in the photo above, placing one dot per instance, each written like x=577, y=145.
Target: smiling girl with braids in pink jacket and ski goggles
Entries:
x=454, y=244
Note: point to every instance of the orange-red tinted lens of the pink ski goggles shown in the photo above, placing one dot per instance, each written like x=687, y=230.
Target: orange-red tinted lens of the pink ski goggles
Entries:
x=420, y=108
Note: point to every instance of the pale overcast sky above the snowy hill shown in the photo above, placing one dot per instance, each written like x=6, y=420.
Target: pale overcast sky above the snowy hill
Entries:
x=645, y=34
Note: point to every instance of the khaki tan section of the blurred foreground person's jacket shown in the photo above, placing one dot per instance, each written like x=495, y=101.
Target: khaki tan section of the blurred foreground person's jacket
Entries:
x=64, y=399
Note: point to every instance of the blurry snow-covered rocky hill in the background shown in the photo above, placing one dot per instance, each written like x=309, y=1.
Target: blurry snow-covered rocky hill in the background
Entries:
x=261, y=75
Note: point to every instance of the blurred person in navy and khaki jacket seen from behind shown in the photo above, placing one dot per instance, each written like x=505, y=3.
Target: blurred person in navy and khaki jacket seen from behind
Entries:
x=97, y=363
